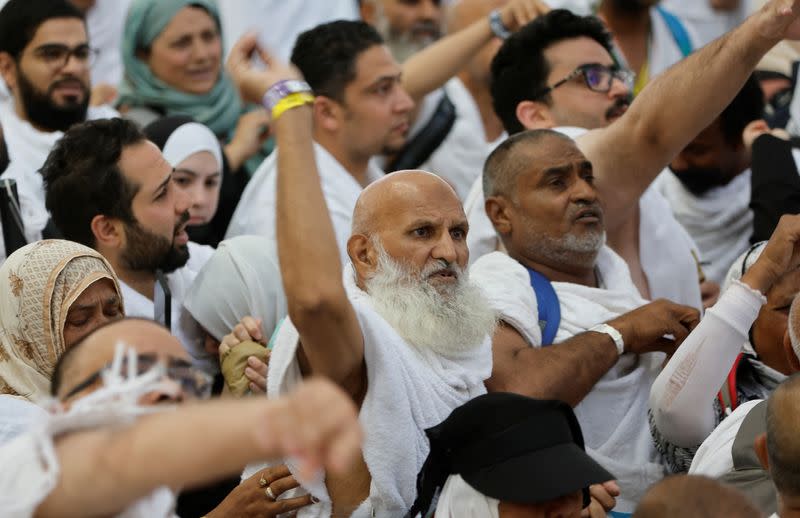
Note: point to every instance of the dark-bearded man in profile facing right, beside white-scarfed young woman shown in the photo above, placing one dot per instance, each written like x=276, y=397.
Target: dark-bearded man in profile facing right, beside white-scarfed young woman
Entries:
x=122, y=202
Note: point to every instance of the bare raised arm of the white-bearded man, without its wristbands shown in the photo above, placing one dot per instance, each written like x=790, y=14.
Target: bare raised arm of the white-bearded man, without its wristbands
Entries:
x=311, y=270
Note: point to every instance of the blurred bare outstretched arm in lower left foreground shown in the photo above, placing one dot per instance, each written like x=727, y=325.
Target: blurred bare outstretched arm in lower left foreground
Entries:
x=105, y=470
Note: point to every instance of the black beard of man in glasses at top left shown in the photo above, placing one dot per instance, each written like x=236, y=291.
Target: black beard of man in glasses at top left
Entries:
x=43, y=112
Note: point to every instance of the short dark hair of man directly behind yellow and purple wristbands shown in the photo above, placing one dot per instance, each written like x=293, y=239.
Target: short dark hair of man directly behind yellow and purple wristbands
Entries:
x=327, y=54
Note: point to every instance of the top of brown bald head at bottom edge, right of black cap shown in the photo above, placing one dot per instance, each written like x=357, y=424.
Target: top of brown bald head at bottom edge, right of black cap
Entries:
x=693, y=496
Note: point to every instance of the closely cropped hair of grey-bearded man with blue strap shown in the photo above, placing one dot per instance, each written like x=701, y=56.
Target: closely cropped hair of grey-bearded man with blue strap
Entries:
x=506, y=162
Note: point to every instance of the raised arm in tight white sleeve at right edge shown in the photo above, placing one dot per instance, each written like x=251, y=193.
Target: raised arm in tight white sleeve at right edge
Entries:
x=682, y=396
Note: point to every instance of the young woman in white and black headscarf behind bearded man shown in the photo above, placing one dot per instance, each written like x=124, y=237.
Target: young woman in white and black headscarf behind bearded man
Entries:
x=194, y=151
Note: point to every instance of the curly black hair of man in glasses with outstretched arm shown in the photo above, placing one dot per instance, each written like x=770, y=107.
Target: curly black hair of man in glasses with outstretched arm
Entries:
x=519, y=69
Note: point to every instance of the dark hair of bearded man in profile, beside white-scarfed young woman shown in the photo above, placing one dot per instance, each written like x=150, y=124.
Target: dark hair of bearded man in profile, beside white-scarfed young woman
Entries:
x=83, y=179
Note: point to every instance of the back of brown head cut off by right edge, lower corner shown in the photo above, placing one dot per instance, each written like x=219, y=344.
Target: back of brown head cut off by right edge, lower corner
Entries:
x=783, y=441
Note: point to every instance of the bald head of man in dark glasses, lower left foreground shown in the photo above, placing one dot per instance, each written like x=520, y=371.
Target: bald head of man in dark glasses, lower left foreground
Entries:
x=97, y=350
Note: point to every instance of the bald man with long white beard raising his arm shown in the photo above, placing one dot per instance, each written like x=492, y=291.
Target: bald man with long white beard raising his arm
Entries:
x=401, y=329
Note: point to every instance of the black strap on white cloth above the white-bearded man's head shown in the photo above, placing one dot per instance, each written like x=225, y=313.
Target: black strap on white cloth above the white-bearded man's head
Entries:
x=420, y=148
